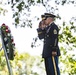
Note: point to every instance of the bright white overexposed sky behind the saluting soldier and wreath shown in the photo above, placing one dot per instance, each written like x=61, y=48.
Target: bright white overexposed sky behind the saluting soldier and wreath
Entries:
x=24, y=36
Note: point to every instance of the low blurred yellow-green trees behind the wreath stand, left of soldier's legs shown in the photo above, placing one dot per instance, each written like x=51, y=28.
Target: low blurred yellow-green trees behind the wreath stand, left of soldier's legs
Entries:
x=22, y=64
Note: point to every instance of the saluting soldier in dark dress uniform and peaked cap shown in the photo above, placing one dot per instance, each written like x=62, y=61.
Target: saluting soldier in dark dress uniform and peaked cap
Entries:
x=51, y=51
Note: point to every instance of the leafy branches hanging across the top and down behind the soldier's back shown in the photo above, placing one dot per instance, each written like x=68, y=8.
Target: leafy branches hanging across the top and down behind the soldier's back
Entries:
x=66, y=37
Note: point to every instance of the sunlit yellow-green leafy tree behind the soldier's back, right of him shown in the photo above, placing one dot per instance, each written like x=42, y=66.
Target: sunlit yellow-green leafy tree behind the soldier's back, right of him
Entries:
x=68, y=41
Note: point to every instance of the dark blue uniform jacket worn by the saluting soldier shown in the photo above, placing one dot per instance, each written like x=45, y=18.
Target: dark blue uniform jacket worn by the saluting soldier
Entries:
x=50, y=36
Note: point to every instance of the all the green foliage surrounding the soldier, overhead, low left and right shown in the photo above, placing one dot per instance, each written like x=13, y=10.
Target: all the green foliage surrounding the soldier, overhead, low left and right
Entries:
x=23, y=63
